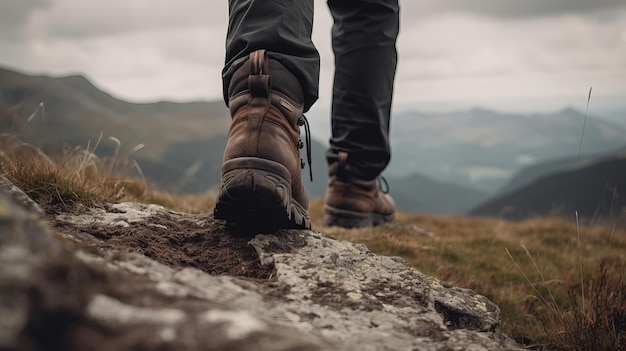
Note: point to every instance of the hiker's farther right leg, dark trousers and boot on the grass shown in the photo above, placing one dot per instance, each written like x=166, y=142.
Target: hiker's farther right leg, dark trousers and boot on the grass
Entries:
x=364, y=43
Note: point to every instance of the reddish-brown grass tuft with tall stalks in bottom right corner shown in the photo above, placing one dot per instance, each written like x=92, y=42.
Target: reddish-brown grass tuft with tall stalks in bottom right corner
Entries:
x=592, y=316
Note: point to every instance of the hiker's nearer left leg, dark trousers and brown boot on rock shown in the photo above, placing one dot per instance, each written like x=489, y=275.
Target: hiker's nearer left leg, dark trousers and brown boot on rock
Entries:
x=270, y=79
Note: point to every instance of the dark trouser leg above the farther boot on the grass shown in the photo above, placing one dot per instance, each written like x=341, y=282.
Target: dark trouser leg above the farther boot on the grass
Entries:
x=364, y=42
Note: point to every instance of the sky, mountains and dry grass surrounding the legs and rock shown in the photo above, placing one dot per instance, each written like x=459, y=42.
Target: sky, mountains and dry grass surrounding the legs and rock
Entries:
x=489, y=119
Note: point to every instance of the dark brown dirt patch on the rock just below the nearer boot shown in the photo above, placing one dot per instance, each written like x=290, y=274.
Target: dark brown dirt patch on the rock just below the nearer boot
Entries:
x=209, y=245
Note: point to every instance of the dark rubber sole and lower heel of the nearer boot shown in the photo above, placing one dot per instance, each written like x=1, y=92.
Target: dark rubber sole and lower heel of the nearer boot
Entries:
x=256, y=192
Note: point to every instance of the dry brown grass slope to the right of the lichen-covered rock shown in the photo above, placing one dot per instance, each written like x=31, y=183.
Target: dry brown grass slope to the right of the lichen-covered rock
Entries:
x=543, y=312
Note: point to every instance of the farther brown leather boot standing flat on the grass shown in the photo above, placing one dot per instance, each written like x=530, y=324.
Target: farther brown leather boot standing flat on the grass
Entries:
x=354, y=203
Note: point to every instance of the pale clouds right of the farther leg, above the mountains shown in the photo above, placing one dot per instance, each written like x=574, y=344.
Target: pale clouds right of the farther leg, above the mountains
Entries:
x=499, y=62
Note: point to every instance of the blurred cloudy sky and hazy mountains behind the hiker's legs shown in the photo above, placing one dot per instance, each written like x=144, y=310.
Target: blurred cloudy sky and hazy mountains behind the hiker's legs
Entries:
x=487, y=122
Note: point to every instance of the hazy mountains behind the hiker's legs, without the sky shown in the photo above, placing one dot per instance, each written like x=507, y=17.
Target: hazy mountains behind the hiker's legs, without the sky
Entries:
x=476, y=161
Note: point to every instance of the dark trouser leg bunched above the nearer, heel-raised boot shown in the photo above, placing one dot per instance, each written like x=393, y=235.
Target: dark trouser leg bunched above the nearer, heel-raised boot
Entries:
x=283, y=28
